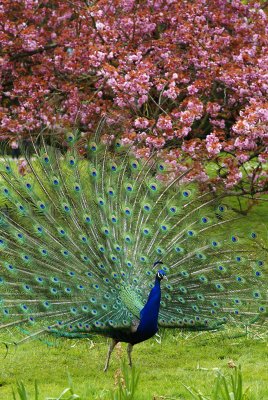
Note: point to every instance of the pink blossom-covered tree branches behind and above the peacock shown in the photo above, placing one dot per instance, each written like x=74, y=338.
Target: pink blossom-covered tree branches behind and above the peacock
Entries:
x=186, y=78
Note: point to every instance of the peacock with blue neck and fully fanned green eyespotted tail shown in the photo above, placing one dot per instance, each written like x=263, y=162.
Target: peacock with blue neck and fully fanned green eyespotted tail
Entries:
x=108, y=243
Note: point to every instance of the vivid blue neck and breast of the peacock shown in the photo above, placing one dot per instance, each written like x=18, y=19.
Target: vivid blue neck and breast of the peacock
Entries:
x=149, y=314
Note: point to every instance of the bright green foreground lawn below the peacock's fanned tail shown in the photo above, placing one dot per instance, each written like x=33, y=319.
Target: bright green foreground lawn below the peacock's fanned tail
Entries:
x=181, y=359
